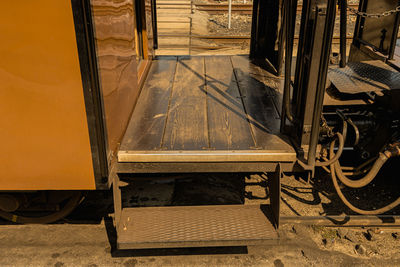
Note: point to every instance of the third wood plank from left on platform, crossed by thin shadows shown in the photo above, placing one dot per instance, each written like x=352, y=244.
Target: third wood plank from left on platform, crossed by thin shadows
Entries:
x=227, y=120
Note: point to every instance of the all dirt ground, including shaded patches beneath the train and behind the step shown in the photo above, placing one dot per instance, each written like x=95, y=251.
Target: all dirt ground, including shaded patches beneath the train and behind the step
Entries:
x=87, y=237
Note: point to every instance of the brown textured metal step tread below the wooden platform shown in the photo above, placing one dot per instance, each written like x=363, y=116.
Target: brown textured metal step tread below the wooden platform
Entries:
x=196, y=226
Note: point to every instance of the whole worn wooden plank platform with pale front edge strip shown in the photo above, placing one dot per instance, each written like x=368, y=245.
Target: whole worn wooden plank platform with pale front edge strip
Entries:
x=206, y=109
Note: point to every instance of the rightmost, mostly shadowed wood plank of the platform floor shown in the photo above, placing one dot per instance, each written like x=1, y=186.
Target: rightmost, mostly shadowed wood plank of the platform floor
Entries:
x=259, y=106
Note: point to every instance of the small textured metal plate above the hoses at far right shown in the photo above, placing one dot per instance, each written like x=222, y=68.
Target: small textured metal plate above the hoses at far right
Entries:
x=363, y=77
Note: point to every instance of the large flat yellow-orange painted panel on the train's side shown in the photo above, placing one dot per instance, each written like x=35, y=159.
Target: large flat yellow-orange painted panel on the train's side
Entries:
x=44, y=139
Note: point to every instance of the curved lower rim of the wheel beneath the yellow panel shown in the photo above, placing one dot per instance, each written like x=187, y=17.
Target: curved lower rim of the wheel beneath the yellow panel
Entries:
x=72, y=203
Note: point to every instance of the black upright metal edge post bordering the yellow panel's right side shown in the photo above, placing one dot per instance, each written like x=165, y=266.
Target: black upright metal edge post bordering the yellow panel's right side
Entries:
x=92, y=92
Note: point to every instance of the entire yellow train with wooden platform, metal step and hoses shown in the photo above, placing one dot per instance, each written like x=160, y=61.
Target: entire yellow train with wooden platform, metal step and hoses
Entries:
x=86, y=105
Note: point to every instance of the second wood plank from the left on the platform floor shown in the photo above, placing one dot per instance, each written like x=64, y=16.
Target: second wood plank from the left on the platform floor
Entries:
x=186, y=127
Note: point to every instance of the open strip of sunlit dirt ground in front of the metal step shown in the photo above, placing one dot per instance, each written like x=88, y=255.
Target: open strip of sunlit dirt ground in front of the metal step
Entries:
x=88, y=245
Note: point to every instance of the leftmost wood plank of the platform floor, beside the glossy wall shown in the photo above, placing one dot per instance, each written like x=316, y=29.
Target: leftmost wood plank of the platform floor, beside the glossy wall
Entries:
x=146, y=127
